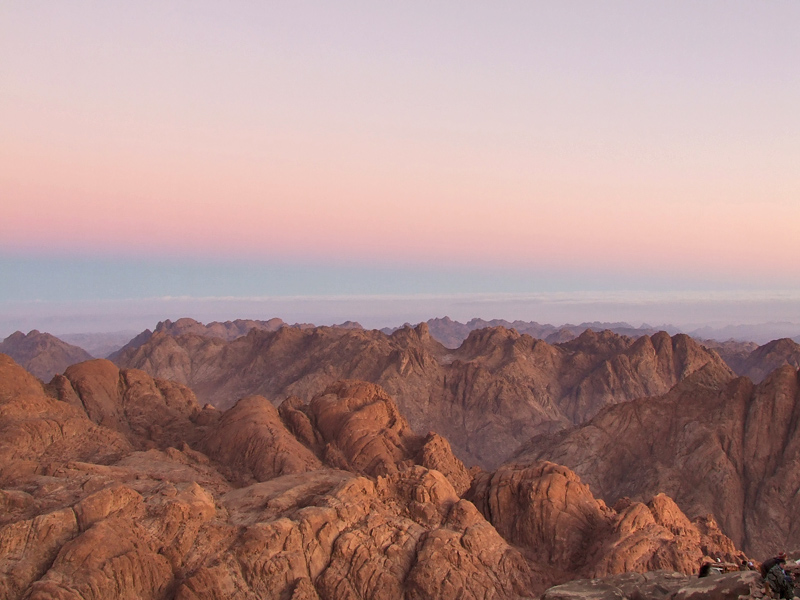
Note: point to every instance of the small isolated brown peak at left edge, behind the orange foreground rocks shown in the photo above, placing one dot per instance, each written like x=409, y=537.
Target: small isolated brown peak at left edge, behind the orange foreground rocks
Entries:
x=42, y=354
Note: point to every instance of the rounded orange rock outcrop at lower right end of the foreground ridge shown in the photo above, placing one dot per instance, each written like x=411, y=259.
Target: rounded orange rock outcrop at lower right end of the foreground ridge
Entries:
x=545, y=509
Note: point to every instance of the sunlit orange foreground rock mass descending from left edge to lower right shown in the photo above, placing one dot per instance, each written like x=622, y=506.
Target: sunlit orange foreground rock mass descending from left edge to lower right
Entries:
x=117, y=485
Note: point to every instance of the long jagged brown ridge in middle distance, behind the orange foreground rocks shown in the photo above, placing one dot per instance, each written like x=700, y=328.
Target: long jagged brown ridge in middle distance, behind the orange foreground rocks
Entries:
x=494, y=392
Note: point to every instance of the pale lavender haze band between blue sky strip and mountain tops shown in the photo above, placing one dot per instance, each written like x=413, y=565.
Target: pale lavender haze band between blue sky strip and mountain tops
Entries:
x=761, y=317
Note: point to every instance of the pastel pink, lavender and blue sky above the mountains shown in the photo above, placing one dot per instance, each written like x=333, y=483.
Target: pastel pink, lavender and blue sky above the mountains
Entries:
x=370, y=158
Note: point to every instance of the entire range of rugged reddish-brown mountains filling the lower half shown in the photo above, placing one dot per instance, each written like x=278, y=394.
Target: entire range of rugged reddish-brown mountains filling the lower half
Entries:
x=254, y=458
